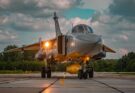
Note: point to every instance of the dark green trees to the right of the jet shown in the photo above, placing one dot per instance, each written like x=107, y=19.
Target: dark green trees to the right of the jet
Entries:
x=125, y=64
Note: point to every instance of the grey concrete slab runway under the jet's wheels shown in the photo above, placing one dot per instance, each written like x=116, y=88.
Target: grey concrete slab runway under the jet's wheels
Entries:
x=101, y=83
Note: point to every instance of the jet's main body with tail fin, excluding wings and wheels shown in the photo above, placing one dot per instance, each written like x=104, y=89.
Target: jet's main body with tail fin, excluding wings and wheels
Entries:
x=80, y=41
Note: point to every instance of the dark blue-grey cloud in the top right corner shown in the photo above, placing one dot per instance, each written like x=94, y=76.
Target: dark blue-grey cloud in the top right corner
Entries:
x=124, y=8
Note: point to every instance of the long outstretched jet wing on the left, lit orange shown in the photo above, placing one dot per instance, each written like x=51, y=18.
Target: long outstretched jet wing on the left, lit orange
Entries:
x=35, y=46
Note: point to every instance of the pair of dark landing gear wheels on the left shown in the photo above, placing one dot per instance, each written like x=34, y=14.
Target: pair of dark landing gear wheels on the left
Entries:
x=46, y=72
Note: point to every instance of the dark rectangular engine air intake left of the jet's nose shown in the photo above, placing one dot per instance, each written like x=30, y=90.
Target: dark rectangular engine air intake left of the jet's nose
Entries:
x=62, y=44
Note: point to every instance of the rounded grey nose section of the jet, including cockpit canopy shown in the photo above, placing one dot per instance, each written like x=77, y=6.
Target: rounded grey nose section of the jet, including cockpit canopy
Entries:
x=83, y=41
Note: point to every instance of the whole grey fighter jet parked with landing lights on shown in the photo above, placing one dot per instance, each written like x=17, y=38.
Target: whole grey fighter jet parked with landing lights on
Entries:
x=79, y=45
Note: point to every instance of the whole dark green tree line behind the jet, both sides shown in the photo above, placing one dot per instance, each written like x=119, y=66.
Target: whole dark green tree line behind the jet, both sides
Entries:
x=25, y=61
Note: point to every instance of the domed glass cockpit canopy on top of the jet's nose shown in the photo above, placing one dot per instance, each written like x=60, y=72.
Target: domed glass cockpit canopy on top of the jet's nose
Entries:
x=82, y=28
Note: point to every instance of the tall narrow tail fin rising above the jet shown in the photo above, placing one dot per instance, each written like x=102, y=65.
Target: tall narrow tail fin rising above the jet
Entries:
x=57, y=27
